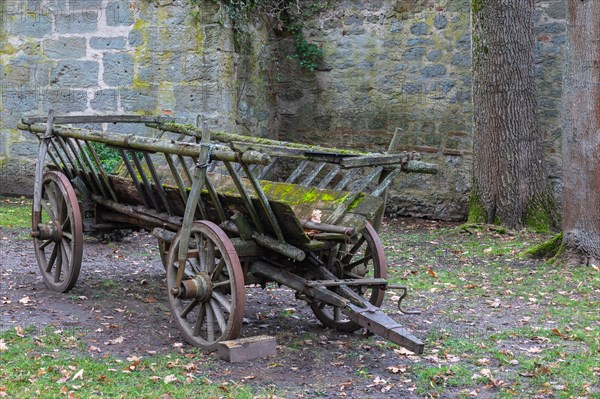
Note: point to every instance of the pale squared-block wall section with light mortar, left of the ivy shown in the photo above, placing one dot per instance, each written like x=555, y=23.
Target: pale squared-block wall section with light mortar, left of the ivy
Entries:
x=159, y=57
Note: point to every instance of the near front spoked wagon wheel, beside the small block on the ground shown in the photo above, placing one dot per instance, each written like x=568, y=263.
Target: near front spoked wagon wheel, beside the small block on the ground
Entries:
x=209, y=304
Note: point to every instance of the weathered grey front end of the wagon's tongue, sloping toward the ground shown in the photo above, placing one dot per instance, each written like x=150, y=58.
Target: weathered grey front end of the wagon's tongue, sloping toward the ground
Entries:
x=376, y=321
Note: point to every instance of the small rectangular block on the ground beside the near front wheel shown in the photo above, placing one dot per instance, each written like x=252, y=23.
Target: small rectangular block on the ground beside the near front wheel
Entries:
x=243, y=349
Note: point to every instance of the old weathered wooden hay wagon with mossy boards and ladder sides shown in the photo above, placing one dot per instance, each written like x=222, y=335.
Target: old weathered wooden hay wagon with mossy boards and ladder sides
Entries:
x=228, y=211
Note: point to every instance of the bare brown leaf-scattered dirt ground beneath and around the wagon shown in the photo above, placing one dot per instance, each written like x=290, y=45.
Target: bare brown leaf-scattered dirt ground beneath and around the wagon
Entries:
x=120, y=304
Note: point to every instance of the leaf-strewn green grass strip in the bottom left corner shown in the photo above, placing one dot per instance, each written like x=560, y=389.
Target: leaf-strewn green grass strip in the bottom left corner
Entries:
x=50, y=364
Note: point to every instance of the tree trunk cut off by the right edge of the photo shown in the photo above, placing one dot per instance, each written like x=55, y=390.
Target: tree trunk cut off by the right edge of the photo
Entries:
x=581, y=130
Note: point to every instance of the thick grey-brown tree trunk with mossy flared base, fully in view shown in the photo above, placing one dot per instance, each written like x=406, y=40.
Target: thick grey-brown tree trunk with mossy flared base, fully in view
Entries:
x=510, y=186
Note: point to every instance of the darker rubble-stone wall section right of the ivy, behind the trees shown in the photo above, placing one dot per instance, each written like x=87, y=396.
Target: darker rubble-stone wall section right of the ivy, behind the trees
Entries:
x=407, y=64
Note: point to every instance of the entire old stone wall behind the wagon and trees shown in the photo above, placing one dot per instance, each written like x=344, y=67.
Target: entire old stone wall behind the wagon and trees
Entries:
x=388, y=64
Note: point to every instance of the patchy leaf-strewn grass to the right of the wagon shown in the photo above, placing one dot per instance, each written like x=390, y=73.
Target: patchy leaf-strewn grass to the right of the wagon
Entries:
x=477, y=277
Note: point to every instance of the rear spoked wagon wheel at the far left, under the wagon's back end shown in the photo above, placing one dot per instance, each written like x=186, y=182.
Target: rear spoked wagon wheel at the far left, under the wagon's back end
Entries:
x=58, y=233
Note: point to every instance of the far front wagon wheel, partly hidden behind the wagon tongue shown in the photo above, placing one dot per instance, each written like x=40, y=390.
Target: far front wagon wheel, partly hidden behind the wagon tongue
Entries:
x=363, y=259
